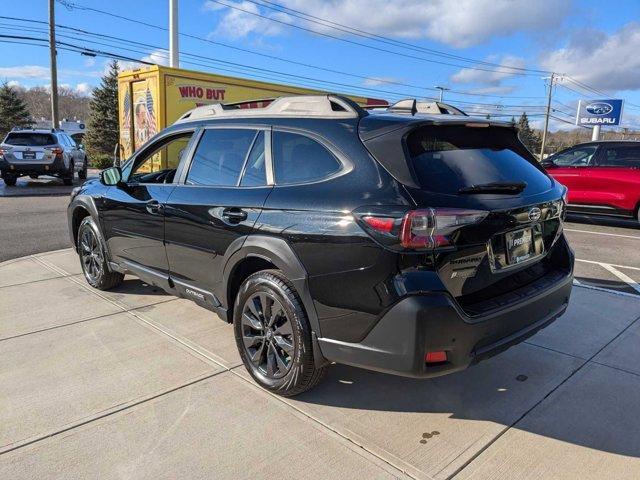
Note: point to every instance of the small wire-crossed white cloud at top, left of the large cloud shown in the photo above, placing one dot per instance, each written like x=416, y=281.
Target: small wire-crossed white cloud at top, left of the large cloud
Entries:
x=236, y=23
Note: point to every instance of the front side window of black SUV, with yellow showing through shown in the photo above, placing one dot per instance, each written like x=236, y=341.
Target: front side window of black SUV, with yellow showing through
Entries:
x=158, y=163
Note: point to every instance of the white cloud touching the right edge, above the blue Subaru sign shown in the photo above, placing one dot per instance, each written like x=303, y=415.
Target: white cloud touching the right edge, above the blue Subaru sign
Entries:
x=606, y=62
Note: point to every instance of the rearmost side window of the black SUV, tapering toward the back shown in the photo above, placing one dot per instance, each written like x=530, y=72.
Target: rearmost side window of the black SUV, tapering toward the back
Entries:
x=300, y=159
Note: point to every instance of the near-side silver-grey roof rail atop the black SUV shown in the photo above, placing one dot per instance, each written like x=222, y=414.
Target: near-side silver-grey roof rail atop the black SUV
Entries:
x=317, y=106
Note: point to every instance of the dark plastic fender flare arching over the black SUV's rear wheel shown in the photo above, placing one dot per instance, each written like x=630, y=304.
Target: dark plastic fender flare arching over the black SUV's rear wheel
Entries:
x=278, y=252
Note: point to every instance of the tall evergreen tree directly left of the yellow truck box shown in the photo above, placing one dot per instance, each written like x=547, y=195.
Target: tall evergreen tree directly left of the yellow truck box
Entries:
x=102, y=128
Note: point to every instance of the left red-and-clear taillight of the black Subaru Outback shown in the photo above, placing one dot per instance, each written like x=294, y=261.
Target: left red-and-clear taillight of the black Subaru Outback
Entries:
x=424, y=229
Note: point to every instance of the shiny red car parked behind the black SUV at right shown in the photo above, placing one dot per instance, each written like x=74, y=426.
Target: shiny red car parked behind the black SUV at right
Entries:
x=602, y=177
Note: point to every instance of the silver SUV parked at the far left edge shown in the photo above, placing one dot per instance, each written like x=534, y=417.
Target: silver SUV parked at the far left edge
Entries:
x=41, y=152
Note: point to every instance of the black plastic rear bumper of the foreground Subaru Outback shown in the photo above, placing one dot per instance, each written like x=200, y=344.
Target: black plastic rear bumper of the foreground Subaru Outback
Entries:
x=433, y=322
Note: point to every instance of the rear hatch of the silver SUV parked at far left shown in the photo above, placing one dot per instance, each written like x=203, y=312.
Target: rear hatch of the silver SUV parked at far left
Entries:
x=29, y=147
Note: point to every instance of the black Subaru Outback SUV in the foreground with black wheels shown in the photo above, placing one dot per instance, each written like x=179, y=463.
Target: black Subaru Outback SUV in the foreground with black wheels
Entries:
x=395, y=241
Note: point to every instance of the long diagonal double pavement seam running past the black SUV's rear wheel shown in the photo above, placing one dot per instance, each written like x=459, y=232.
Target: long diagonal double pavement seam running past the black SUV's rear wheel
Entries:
x=187, y=344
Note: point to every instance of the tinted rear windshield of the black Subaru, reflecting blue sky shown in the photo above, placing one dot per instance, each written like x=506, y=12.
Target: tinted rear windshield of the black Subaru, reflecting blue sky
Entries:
x=449, y=158
